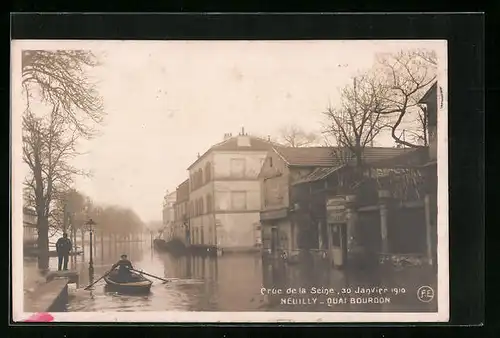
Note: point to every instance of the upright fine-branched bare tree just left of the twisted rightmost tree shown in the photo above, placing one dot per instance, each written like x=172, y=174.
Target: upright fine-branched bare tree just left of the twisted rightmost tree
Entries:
x=355, y=123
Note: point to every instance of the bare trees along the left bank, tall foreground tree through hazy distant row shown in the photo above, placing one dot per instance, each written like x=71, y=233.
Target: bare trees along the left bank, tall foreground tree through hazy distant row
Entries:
x=68, y=109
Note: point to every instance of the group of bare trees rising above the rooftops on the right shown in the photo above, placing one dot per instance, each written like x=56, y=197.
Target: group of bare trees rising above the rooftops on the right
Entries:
x=383, y=98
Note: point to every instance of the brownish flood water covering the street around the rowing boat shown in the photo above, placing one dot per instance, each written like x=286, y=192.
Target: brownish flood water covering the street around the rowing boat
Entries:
x=245, y=282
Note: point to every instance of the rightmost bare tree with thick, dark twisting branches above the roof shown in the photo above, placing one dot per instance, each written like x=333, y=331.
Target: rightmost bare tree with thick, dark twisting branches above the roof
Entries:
x=404, y=79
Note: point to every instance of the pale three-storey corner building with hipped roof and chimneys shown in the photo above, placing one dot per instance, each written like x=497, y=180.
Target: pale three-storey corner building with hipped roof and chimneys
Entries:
x=225, y=197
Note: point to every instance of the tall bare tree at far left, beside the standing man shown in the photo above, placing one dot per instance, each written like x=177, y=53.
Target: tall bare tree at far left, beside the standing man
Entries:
x=59, y=80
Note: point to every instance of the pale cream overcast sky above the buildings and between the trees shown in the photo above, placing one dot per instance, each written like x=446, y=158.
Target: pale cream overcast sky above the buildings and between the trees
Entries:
x=168, y=101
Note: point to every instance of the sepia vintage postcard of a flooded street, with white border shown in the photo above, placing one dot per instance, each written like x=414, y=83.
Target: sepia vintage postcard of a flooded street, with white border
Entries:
x=230, y=181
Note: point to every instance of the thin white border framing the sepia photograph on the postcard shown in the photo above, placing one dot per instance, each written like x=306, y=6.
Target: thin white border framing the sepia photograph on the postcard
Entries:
x=224, y=317
